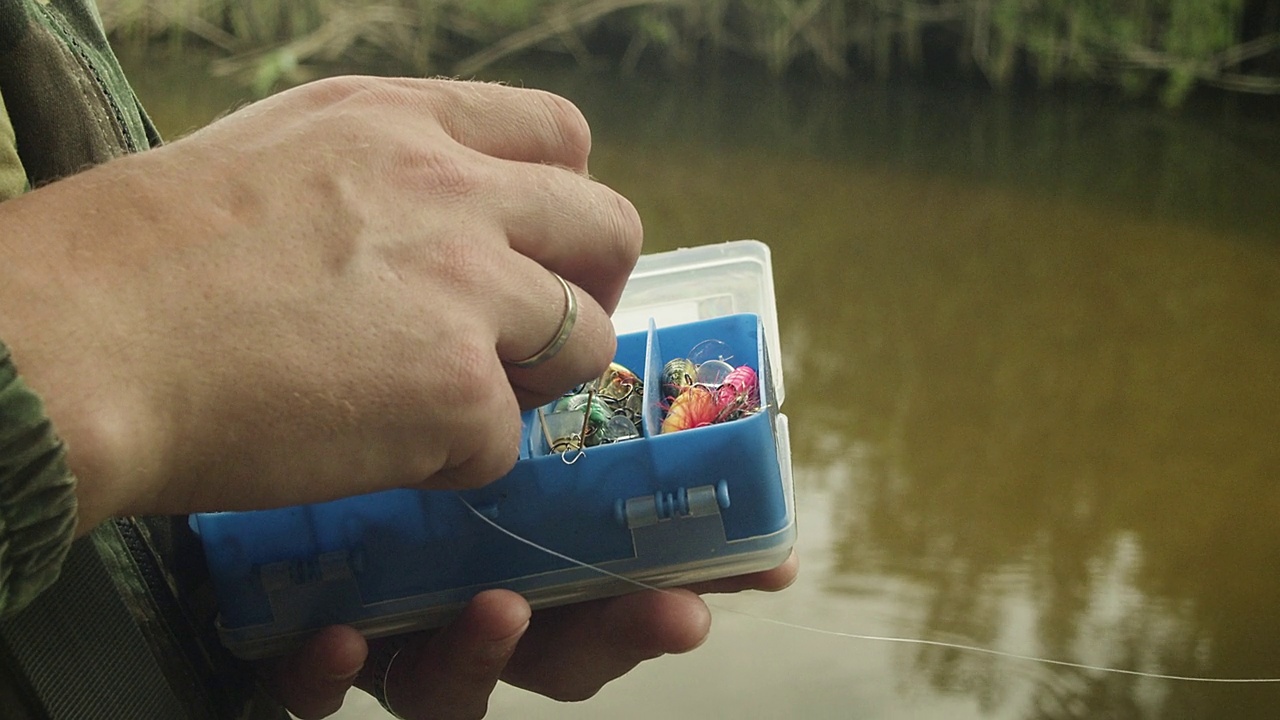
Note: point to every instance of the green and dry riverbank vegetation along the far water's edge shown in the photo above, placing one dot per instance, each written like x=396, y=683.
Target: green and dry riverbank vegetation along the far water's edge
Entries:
x=1163, y=47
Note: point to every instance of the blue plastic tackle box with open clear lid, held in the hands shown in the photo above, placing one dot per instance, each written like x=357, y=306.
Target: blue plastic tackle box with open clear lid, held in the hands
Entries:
x=661, y=511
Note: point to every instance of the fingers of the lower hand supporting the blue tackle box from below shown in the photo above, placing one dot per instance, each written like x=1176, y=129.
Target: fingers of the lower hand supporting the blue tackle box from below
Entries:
x=566, y=653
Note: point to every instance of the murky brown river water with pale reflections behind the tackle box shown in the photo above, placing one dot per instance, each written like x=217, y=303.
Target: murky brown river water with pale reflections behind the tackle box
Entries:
x=1032, y=349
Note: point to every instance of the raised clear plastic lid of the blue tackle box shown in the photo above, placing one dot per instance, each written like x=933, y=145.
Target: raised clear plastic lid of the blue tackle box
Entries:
x=697, y=284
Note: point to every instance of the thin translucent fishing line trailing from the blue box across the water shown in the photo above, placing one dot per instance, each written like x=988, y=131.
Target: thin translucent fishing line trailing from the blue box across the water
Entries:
x=959, y=648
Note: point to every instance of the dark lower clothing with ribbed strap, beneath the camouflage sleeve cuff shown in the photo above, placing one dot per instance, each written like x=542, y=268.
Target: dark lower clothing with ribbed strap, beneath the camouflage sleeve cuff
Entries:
x=117, y=639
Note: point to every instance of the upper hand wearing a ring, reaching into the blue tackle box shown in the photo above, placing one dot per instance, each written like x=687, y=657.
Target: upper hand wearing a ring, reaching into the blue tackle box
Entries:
x=317, y=297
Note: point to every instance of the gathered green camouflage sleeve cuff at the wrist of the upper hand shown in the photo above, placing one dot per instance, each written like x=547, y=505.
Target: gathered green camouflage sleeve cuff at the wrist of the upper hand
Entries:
x=38, y=494
